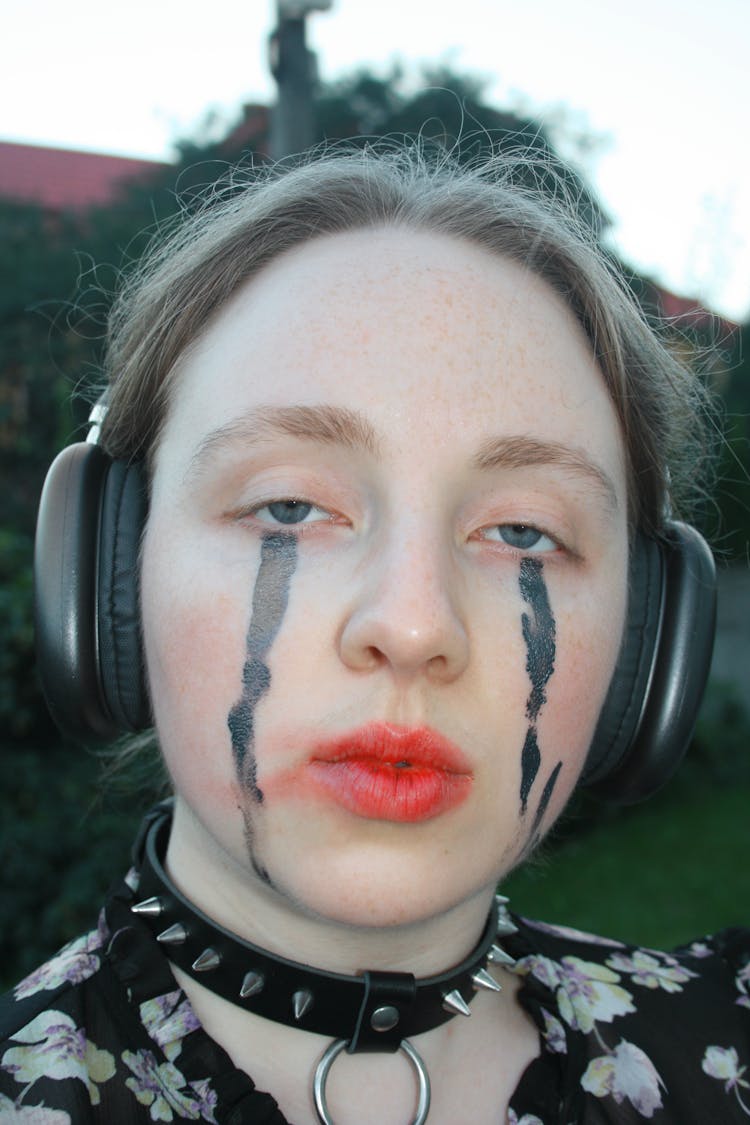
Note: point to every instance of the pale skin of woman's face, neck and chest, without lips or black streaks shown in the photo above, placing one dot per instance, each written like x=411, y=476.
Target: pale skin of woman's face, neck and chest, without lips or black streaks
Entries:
x=423, y=397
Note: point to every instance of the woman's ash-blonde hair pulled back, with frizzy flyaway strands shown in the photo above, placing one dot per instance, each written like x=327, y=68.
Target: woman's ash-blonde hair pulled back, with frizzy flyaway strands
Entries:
x=499, y=205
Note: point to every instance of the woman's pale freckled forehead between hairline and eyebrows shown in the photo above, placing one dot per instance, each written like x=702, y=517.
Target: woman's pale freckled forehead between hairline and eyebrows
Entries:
x=419, y=331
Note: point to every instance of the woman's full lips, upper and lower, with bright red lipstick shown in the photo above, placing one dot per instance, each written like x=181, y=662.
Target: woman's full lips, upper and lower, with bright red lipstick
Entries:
x=373, y=787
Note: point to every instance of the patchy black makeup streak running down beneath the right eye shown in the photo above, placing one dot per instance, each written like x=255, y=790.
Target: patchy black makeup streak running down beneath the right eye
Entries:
x=539, y=633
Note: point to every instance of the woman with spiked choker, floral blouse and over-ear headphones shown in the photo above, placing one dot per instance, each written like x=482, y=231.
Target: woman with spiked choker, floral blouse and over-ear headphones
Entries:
x=402, y=434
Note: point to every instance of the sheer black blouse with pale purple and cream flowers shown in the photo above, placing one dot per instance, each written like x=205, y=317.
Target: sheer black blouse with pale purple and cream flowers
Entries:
x=103, y=1034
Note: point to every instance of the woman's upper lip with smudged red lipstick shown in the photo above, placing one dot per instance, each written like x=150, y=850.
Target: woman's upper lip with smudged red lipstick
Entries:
x=395, y=745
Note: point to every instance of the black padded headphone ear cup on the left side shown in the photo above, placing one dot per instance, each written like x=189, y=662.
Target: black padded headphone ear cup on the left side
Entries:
x=86, y=572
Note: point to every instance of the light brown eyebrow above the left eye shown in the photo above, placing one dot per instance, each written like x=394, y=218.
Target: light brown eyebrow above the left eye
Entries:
x=329, y=426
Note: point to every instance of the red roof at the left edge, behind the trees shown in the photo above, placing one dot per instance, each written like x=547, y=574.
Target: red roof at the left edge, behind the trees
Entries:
x=64, y=179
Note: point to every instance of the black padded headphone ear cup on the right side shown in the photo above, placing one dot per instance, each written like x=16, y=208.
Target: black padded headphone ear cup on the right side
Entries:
x=654, y=700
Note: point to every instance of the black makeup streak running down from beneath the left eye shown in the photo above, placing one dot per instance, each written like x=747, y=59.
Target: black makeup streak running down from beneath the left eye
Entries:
x=270, y=600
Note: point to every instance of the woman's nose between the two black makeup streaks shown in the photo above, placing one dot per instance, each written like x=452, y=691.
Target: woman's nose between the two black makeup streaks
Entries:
x=406, y=615
